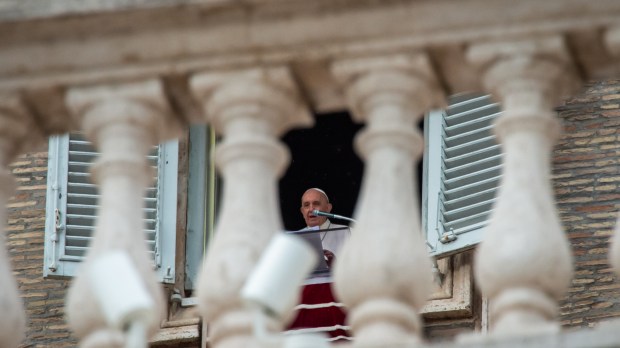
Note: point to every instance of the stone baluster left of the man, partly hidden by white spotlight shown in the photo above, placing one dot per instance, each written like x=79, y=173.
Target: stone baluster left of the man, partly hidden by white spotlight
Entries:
x=249, y=109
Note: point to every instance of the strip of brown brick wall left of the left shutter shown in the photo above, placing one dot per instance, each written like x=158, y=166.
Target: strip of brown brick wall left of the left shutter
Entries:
x=43, y=298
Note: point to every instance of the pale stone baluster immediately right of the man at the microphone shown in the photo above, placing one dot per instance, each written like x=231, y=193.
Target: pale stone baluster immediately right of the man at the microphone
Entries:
x=383, y=274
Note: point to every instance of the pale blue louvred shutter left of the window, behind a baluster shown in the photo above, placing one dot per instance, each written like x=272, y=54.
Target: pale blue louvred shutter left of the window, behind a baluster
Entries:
x=72, y=206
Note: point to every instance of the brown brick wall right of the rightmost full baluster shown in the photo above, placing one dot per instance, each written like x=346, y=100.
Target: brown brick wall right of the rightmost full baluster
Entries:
x=586, y=178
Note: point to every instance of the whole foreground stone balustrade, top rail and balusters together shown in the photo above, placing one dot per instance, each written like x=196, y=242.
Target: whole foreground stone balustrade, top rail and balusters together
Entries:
x=133, y=85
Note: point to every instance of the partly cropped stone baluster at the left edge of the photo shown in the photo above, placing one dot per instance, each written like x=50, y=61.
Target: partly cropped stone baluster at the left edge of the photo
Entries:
x=17, y=132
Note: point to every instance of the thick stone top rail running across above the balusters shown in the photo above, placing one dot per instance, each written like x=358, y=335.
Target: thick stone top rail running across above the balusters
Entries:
x=145, y=41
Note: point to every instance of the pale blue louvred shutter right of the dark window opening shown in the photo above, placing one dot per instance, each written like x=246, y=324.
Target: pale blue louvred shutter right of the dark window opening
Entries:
x=462, y=168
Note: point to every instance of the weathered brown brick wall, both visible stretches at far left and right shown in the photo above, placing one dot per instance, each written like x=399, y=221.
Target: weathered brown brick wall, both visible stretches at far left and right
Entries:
x=586, y=176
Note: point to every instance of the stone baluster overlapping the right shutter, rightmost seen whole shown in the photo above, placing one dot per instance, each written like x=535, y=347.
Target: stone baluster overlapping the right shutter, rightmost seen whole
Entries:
x=524, y=263
